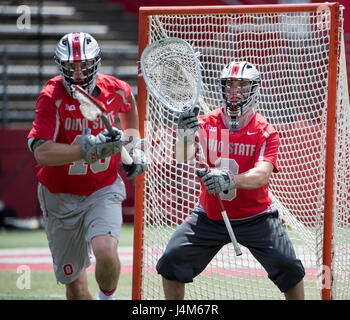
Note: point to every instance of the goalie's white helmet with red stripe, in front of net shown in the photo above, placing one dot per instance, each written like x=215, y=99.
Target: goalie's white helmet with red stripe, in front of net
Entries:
x=242, y=97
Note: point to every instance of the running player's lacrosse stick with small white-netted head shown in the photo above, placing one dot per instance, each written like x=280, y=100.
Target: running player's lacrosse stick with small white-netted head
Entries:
x=91, y=109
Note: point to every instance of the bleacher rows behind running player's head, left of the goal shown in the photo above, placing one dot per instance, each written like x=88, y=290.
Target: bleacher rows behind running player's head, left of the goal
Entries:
x=26, y=54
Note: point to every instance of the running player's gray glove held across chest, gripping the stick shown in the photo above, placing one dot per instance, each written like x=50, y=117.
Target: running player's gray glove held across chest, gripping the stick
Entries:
x=101, y=146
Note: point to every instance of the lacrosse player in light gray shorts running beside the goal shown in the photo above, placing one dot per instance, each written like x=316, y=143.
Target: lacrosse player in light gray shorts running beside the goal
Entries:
x=80, y=191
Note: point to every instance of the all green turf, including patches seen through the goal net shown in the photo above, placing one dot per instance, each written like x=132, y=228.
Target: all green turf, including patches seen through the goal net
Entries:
x=43, y=285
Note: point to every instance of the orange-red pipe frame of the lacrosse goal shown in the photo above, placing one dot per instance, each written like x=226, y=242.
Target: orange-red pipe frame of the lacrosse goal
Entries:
x=144, y=13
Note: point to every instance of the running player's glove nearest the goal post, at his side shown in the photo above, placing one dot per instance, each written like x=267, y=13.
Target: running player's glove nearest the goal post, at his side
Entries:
x=136, y=150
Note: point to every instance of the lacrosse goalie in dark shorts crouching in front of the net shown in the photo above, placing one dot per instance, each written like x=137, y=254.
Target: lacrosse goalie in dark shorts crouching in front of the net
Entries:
x=241, y=150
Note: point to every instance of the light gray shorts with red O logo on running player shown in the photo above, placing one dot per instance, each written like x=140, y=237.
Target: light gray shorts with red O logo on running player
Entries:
x=72, y=221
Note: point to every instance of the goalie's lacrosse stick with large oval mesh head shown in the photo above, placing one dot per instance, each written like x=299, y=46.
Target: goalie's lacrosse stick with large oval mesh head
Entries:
x=172, y=73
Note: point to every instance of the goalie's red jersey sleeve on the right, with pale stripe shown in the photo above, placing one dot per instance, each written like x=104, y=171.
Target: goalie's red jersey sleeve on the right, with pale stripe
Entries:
x=269, y=149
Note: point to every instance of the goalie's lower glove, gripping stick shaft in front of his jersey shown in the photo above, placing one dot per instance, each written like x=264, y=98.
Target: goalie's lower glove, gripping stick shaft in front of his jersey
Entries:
x=217, y=180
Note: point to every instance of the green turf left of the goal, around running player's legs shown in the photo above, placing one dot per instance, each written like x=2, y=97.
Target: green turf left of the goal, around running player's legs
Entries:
x=43, y=285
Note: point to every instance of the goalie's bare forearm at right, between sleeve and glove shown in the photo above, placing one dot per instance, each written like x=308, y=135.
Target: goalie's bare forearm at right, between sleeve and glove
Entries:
x=256, y=177
